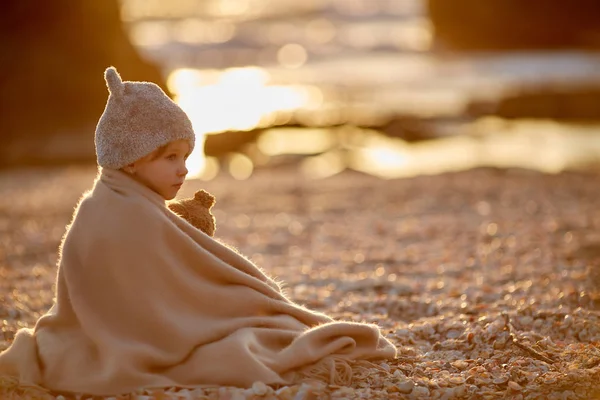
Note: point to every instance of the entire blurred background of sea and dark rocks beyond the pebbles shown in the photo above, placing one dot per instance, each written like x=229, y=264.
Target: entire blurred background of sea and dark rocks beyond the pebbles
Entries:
x=391, y=88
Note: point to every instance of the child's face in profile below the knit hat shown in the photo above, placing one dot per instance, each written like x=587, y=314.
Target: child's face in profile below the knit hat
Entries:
x=164, y=171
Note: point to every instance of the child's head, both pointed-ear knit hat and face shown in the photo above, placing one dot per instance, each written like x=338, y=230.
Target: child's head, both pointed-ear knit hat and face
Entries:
x=145, y=134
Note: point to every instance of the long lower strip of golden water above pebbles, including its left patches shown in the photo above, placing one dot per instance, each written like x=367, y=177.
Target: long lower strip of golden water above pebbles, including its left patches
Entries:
x=540, y=145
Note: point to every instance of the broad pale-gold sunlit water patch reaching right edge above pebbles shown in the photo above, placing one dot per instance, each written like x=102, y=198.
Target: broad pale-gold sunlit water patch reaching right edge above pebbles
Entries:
x=540, y=145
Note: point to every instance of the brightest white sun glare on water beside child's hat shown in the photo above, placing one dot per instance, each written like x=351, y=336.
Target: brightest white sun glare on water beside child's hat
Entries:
x=235, y=99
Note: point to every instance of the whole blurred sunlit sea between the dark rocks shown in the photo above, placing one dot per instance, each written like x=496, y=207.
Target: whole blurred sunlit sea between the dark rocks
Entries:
x=338, y=67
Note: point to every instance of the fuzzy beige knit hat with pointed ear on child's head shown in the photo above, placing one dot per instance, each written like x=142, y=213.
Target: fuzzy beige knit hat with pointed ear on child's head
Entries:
x=138, y=118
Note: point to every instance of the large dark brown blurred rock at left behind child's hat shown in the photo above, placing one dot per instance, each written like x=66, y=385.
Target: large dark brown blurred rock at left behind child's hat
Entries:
x=52, y=57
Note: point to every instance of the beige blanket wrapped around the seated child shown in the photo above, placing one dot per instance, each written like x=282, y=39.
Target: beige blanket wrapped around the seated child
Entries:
x=144, y=299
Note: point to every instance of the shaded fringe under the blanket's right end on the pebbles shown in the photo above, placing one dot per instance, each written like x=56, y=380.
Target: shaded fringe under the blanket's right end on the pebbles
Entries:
x=336, y=370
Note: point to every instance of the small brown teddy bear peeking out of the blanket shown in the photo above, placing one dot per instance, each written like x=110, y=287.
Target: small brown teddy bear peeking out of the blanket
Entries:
x=196, y=211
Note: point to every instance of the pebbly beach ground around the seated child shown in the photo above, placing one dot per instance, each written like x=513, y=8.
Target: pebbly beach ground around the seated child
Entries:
x=488, y=281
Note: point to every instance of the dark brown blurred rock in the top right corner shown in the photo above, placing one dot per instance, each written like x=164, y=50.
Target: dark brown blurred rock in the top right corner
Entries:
x=515, y=24
